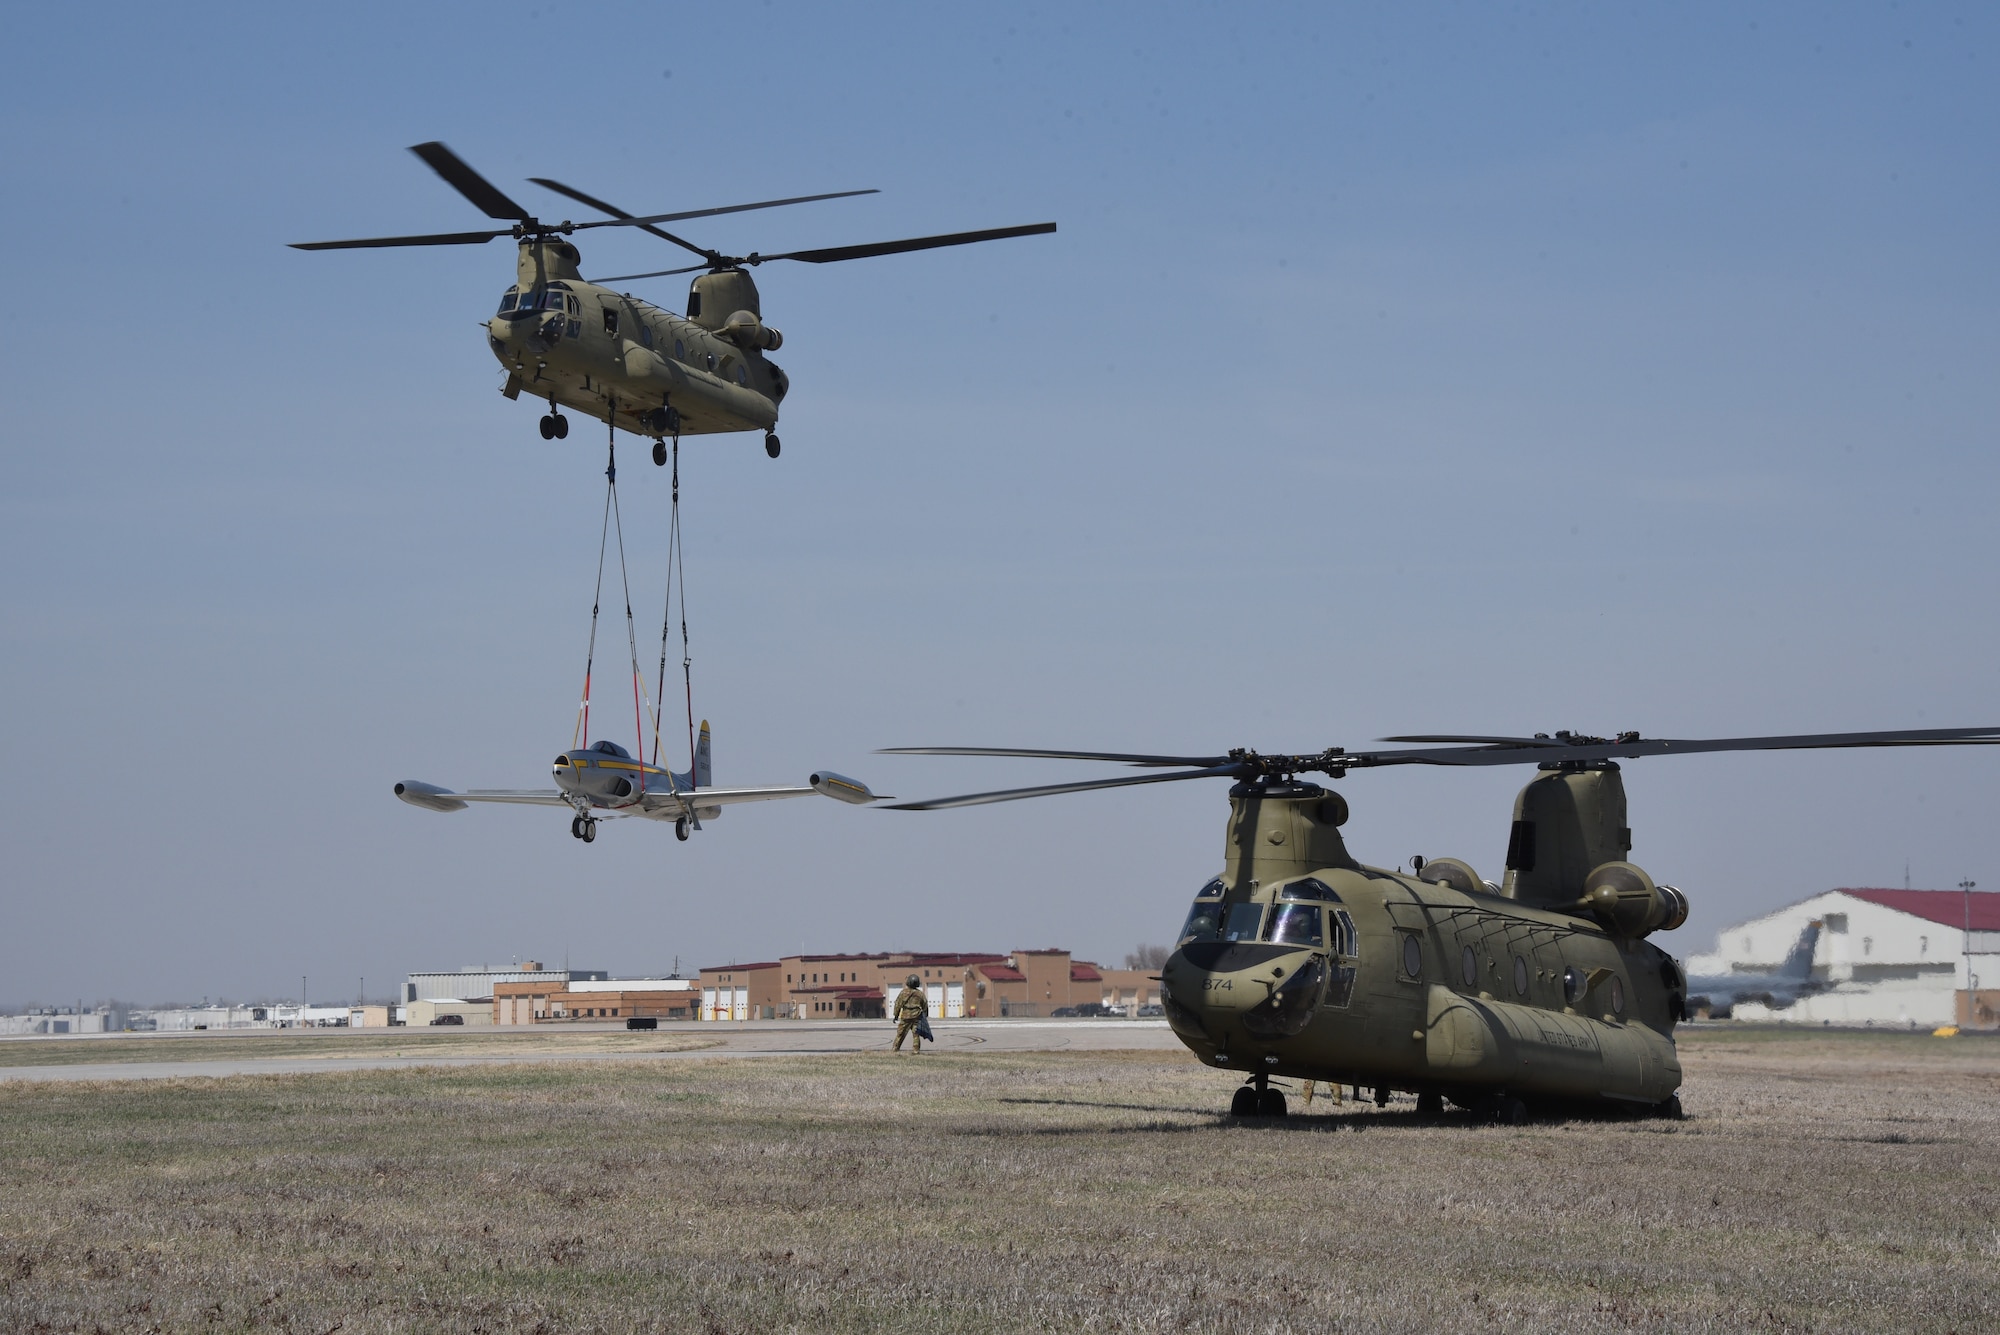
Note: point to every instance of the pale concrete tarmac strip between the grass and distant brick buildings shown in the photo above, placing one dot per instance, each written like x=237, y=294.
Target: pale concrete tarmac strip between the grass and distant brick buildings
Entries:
x=771, y=1038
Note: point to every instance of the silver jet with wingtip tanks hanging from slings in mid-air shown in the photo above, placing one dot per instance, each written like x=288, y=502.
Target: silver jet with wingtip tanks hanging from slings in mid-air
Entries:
x=605, y=780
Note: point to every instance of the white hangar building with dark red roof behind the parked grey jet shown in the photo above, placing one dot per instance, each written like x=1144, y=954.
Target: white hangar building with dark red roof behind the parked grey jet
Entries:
x=1885, y=958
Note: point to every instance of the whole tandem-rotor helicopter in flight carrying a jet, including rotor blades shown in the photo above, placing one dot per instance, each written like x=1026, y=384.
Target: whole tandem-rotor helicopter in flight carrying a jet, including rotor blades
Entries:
x=579, y=345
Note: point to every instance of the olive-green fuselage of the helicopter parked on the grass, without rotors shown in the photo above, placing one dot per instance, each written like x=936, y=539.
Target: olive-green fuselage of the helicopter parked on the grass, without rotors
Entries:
x=1305, y=964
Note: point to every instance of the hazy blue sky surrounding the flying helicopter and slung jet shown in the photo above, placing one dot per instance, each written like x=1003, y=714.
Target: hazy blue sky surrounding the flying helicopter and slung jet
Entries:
x=1441, y=369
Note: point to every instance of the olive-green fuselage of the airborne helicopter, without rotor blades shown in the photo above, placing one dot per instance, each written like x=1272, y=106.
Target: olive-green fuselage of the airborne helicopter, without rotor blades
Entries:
x=623, y=361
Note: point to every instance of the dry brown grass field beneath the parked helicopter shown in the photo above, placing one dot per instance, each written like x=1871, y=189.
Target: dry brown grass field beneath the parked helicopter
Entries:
x=1821, y=1182
